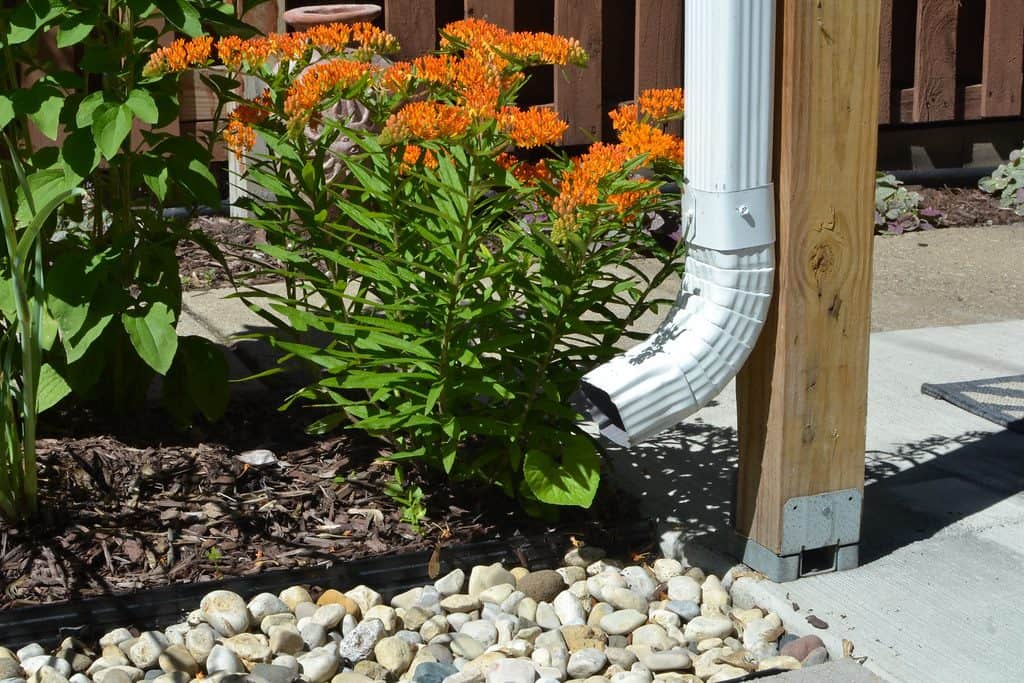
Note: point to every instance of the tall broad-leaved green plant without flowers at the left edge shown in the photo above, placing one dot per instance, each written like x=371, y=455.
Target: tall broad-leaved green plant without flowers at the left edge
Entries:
x=113, y=291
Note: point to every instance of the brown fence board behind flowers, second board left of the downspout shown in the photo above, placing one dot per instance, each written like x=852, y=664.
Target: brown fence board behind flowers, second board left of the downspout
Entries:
x=578, y=92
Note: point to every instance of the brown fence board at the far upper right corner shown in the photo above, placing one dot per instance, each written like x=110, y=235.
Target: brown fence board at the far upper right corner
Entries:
x=1001, y=68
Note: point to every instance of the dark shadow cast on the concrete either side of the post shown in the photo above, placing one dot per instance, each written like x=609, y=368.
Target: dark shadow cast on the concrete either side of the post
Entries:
x=687, y=479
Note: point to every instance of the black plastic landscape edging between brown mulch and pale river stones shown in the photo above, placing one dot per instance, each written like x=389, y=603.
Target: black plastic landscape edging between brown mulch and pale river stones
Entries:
x=389, y=575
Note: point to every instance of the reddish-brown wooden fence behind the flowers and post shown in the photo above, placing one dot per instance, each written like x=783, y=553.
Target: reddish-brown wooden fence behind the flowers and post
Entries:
x=938, y=60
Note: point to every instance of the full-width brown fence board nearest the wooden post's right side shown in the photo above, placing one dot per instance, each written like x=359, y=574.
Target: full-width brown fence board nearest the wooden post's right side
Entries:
x=935, y=69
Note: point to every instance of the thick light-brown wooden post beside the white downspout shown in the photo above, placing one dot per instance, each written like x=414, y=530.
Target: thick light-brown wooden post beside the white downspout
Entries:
x=802, y=396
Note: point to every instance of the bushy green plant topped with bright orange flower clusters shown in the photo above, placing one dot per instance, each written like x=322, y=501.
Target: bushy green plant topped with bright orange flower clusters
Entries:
x=449, y=294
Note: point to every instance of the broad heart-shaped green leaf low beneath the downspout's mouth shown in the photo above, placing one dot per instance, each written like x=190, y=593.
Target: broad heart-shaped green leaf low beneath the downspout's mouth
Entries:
x=573, y=482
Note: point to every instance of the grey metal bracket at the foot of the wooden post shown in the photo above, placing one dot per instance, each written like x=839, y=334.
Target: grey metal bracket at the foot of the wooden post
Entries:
x=821, y=534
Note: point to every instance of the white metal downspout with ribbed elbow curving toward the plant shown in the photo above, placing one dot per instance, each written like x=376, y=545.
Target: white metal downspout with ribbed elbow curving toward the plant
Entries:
x=729, y=211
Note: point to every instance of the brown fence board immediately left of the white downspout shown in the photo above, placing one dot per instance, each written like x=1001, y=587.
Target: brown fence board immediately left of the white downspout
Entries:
x=659, y=53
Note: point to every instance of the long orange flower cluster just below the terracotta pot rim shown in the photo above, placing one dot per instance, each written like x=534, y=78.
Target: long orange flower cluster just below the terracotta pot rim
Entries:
x=326, y=39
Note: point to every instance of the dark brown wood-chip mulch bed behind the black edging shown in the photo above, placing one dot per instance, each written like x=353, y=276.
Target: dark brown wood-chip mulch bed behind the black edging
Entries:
x=136, y=505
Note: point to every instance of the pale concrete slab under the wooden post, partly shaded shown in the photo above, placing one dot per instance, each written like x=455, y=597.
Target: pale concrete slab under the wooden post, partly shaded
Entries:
x=937, y=597
